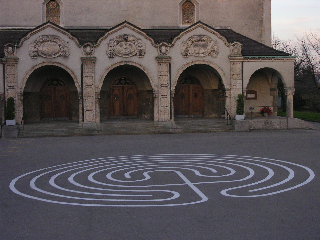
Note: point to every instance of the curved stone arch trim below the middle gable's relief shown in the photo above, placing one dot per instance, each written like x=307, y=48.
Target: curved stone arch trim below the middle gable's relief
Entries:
x=122, y=63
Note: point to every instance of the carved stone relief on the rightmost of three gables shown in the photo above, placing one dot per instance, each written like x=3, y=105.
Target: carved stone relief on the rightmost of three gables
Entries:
x=200, y=46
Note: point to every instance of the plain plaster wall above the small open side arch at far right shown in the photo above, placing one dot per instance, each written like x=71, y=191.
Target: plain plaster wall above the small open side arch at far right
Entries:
x=285, y=68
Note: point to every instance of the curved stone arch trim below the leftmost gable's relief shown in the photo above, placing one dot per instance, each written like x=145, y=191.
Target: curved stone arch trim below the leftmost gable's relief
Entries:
x=31, y=70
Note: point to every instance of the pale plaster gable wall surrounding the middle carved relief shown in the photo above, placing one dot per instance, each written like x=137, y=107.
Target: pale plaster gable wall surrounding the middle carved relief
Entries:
x=105, y=64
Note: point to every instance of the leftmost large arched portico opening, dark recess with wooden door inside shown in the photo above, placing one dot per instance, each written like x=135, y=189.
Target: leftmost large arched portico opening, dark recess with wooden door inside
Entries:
x=49, y=92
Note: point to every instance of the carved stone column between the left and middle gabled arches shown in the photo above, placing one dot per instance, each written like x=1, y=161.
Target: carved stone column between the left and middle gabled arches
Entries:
x=88, y=89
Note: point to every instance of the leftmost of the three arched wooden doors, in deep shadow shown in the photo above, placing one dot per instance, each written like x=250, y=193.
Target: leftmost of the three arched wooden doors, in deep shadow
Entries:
x=55, y=99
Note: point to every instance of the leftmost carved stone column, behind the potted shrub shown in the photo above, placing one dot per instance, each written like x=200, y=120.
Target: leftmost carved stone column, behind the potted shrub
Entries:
x=11, y=85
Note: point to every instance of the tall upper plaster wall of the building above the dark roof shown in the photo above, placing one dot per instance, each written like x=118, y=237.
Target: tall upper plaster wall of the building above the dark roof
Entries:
x=249, y=17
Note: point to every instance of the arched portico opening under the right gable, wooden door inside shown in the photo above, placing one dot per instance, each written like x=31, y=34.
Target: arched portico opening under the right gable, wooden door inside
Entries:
x=199, y=91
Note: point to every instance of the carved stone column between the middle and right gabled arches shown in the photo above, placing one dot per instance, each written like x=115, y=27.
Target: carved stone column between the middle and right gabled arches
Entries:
x=163, y=96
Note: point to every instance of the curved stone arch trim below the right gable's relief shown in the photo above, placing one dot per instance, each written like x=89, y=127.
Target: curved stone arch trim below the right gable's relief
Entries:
x=199, y=62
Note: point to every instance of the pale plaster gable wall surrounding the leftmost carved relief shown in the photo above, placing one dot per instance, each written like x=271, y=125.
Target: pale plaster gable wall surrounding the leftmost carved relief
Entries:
x=26, y=63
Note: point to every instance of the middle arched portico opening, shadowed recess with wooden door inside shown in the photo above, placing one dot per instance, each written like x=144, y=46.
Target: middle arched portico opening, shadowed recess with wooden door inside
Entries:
x=126, y=92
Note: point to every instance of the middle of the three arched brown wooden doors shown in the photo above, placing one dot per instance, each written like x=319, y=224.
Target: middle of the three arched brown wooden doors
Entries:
x=124, y=98
